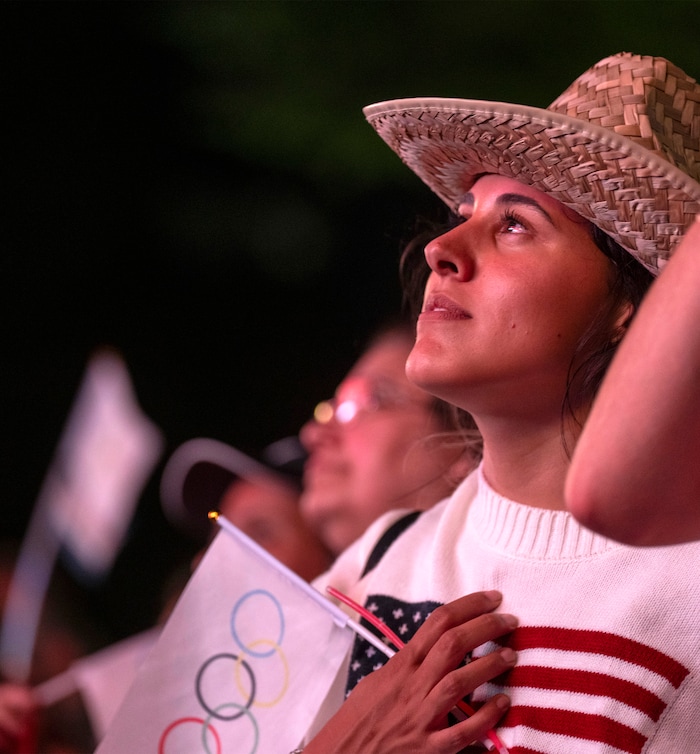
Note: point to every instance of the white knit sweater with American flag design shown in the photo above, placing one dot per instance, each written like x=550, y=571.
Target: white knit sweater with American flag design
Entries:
x=609, y=636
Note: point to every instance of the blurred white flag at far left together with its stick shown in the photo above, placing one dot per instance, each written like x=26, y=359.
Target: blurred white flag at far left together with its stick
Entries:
x=104, y=457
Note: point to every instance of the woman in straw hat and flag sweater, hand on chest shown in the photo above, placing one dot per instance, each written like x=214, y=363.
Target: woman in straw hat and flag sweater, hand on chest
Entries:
x=563, y=218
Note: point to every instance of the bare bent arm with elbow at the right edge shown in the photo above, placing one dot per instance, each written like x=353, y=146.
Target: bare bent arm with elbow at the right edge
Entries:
x=634, y=474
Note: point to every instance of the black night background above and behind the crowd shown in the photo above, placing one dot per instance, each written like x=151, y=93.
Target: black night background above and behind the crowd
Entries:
x=194, y=184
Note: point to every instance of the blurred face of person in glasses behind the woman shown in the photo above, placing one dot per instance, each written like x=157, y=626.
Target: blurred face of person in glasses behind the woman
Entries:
x=380, y=443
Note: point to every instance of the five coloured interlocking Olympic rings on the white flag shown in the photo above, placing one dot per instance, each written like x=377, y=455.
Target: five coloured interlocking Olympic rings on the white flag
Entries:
x=255, y=608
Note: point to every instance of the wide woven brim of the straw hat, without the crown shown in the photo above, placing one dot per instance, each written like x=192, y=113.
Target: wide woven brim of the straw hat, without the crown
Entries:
x=644, y=202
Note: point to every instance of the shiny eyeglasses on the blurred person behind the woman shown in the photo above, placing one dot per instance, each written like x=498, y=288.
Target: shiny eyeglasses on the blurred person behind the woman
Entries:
x=360, y=396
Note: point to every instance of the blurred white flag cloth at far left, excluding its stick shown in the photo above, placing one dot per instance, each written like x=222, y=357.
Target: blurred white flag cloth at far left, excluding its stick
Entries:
x=107, y=451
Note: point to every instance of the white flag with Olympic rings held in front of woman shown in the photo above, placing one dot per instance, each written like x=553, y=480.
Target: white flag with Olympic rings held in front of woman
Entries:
x=242, y=665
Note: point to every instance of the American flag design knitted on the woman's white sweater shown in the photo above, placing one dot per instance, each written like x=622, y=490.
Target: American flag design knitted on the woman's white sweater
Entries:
x=572, y=690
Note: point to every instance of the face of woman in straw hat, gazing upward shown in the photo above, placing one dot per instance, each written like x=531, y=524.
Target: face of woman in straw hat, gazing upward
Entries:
x=511, y=291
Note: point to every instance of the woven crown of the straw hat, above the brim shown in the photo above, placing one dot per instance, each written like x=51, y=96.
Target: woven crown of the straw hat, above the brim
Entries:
x=643, y=98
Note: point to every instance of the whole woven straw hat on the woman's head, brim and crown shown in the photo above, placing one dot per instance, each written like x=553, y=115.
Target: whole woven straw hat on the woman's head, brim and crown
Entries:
x=621, y=146
